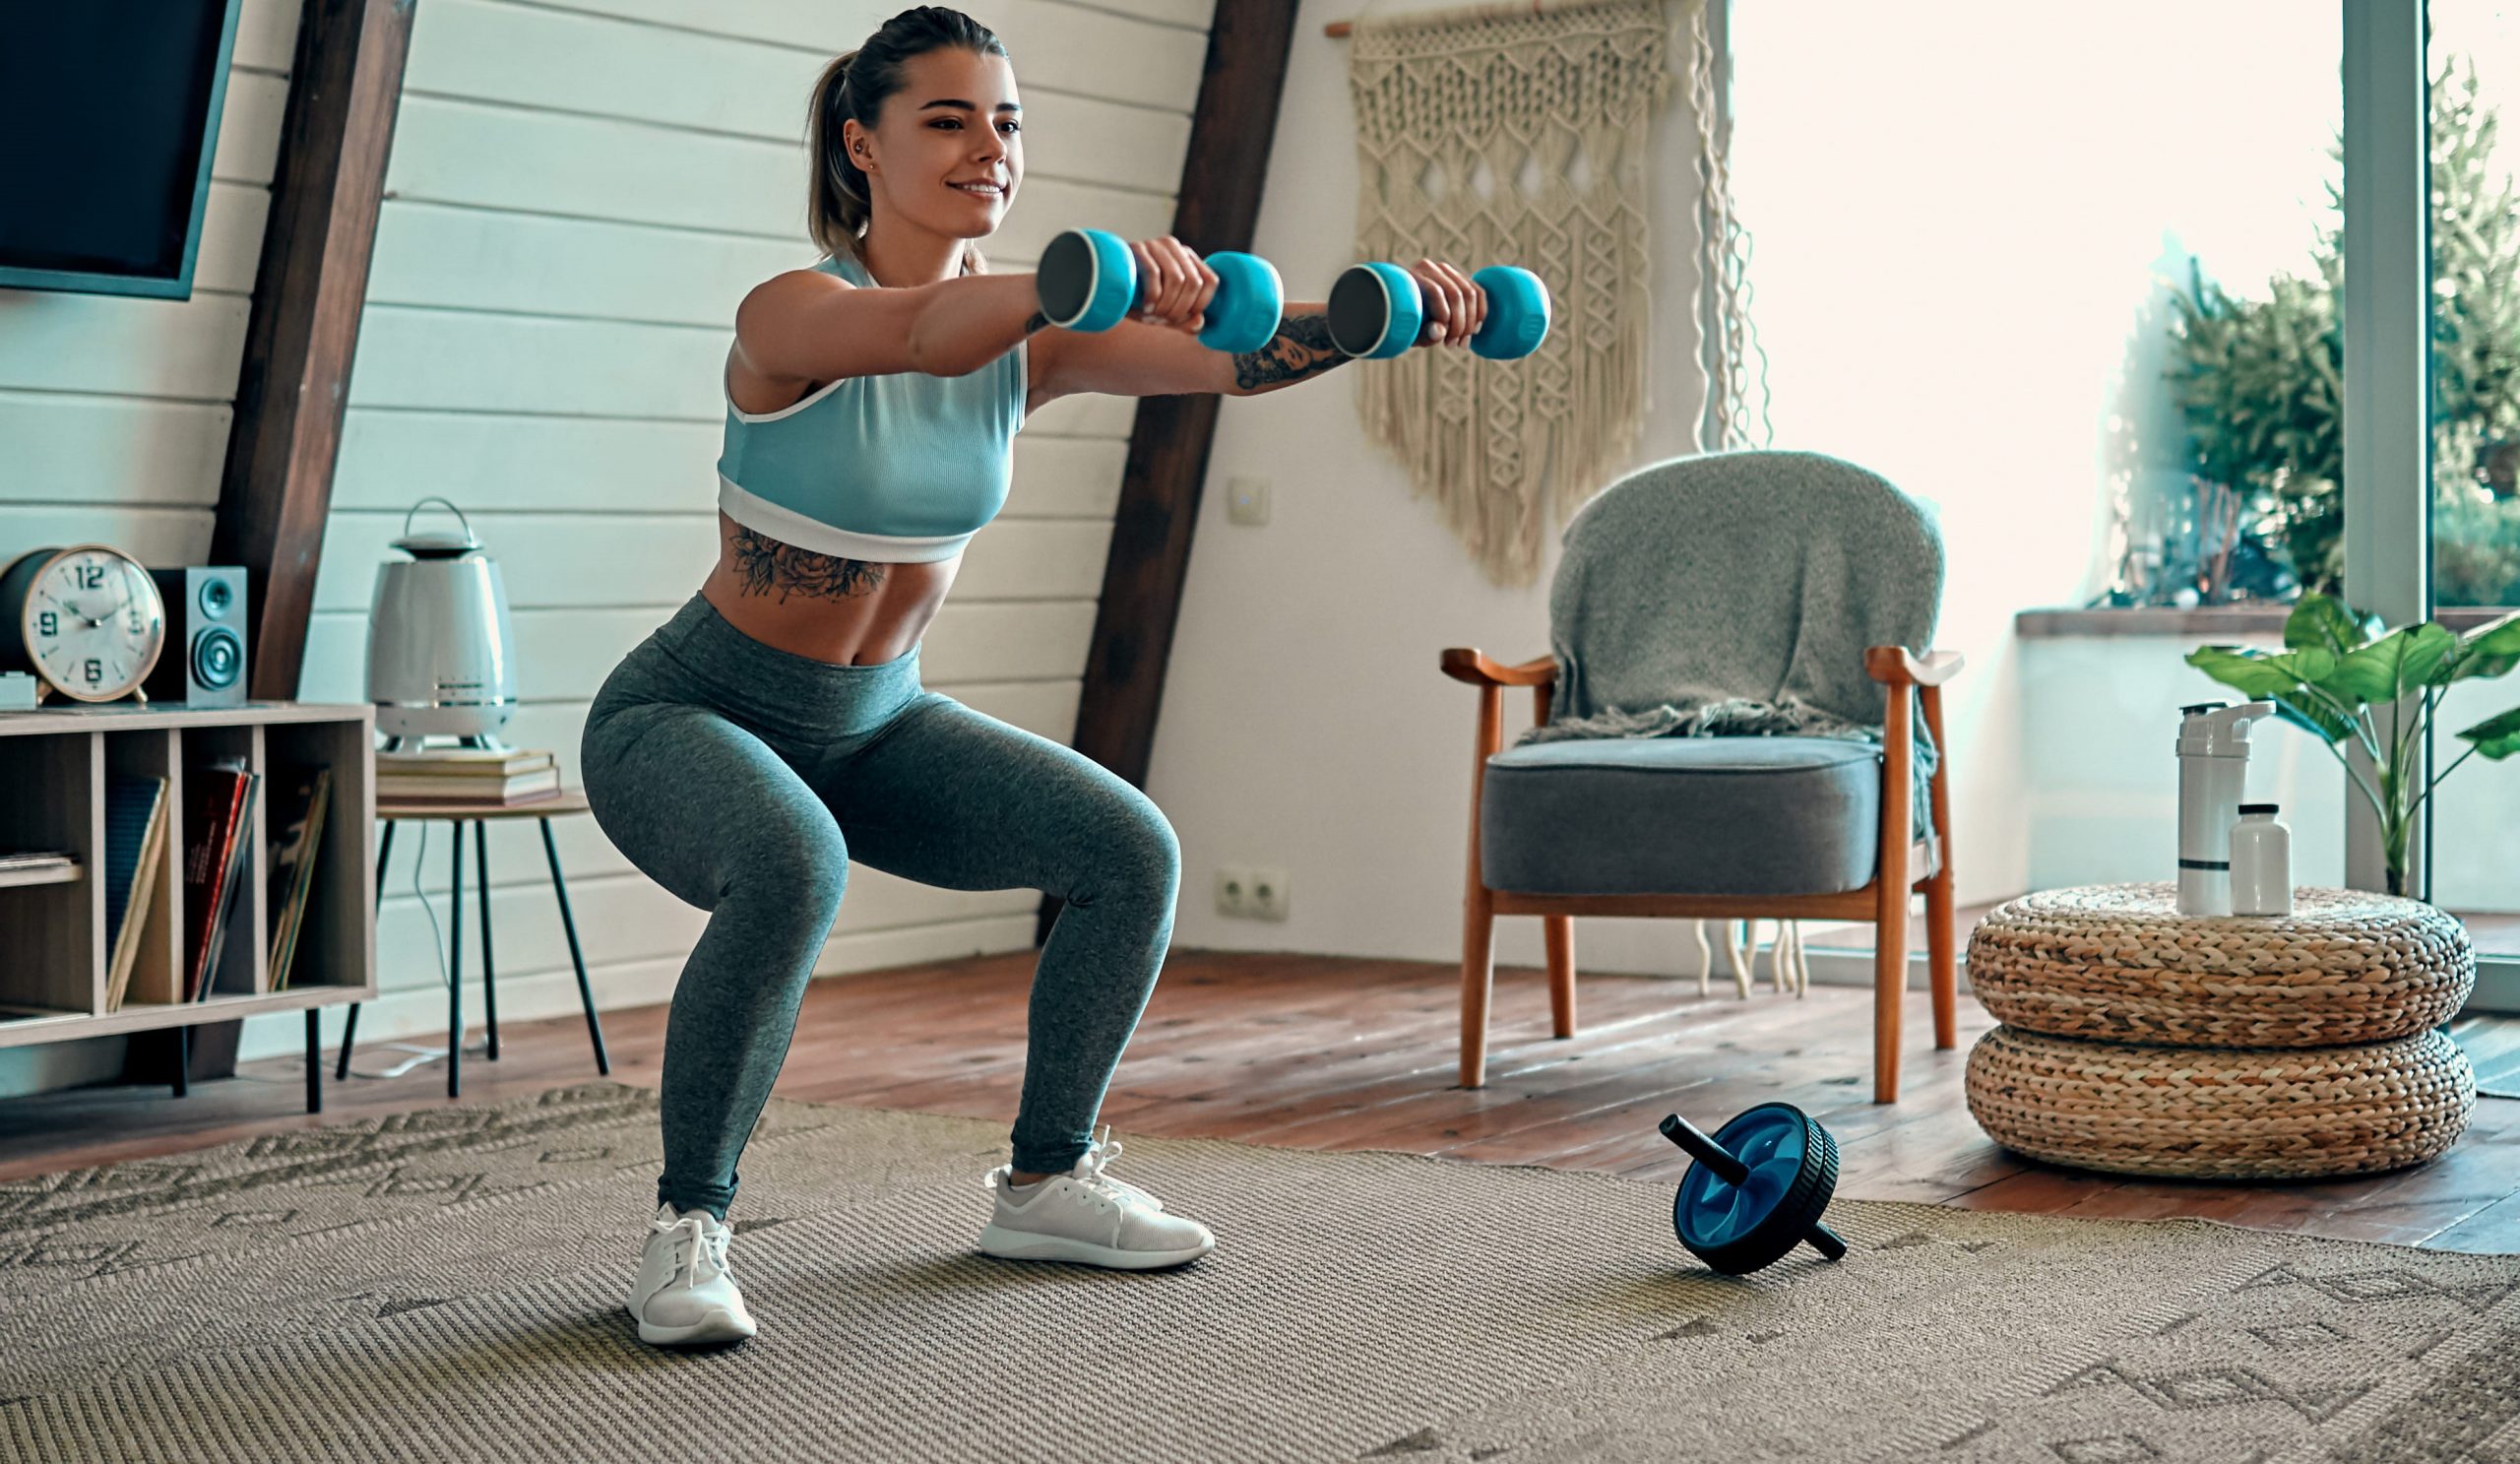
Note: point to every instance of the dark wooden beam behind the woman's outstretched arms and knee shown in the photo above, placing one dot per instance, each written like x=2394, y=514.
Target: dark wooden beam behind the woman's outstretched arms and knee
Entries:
x=1218, y=208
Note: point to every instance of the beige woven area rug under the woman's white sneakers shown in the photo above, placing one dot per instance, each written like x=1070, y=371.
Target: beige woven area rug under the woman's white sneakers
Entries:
x=447, y=1286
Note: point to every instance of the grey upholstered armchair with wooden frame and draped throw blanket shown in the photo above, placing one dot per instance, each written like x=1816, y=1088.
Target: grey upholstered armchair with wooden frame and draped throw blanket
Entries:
x=1778, y=593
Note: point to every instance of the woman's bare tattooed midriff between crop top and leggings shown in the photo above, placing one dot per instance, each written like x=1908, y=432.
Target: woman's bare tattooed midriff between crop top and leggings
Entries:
x=820, y=606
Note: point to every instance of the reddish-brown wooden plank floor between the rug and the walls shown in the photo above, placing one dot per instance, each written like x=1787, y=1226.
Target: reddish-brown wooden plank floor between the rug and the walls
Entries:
x=1362, y=1055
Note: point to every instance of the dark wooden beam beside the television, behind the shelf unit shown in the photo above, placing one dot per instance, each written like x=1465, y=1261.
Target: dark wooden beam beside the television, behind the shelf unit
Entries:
x=304, y=329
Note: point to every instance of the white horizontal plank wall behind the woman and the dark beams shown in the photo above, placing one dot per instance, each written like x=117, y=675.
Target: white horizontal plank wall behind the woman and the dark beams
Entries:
x=581, y=193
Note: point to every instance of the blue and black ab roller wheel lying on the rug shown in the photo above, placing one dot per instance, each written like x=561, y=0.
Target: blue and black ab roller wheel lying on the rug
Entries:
x=1758, y=1188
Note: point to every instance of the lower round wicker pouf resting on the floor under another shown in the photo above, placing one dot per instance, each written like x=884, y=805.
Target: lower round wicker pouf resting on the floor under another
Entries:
x=2221, y=1112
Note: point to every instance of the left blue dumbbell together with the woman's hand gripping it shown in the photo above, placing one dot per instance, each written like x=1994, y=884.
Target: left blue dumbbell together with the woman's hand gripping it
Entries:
x=1092, y=281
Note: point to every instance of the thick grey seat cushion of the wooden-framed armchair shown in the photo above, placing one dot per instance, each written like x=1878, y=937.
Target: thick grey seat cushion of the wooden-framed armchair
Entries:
x=1682, y=818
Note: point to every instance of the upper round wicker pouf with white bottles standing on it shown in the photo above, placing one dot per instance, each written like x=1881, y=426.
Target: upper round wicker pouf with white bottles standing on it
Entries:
x=2121, y=964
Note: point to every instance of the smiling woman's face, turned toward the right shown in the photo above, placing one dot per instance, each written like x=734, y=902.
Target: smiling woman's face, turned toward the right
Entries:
x=949, y=145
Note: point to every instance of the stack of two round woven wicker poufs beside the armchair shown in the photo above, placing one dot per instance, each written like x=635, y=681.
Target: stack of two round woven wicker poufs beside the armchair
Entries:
x=2146, y=1042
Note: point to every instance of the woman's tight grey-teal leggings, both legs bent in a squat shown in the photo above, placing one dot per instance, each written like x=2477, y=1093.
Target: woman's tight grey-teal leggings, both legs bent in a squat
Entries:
x=745, y=780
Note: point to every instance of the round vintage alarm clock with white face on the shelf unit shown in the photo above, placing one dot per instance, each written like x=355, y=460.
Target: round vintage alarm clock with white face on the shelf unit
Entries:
x=84, y=619
